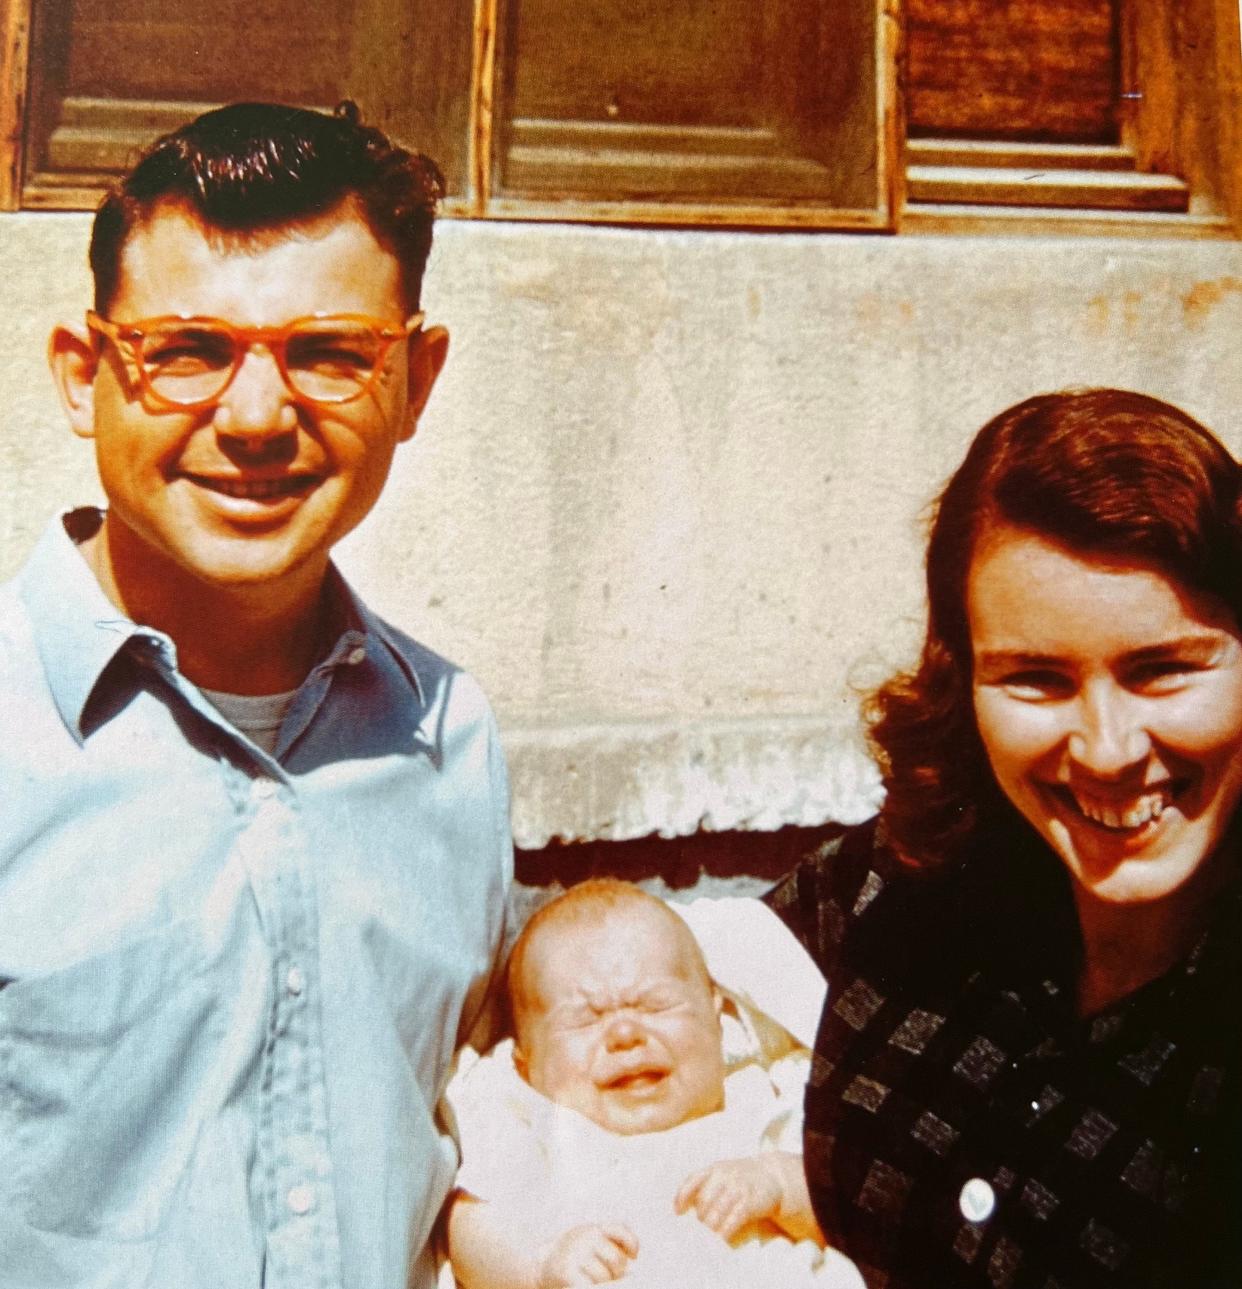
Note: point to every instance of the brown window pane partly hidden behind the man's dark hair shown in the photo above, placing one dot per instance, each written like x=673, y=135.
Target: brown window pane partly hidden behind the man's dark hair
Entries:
x=109, y=75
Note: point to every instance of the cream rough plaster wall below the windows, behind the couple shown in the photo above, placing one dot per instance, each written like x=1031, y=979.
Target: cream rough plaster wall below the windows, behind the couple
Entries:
x=667, y=499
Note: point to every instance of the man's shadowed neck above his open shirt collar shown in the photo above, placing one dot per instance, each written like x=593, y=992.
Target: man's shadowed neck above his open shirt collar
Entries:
x=247, y=640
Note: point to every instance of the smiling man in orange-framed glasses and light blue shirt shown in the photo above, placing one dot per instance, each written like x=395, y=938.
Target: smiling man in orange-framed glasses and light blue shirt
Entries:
x=254, y=846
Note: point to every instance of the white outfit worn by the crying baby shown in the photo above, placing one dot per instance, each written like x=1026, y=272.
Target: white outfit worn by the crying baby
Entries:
x=553, y=1170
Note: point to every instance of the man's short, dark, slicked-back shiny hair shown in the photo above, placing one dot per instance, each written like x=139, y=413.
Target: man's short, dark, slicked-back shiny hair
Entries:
x=254, y=167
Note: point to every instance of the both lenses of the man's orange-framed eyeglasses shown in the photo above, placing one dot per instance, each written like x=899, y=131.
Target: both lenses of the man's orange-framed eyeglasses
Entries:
x=327, y=360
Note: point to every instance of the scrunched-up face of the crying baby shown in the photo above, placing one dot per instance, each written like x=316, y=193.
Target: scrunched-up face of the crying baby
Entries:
x=622, y=1023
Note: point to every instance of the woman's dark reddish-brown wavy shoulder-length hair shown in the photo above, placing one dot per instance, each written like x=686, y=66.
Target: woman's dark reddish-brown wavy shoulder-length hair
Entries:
x=1100, y=471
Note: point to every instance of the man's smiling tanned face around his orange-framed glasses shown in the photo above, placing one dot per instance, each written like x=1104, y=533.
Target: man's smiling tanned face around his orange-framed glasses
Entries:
x=257, y=488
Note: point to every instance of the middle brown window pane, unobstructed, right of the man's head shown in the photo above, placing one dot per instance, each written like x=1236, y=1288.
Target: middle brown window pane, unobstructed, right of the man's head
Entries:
x=713, y=101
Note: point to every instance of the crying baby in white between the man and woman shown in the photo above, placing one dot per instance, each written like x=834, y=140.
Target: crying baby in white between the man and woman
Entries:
x=619, y=1149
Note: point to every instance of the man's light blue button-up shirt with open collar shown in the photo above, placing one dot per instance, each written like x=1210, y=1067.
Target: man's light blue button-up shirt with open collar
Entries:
x=231, y=984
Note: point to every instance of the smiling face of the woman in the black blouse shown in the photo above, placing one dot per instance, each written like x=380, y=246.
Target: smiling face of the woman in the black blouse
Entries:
x=1110, y=703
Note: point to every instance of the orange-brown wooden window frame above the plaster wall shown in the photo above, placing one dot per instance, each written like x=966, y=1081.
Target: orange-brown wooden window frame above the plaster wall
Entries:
x=1177, y=128
